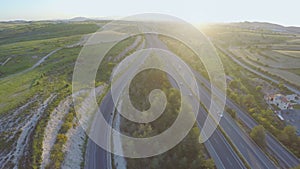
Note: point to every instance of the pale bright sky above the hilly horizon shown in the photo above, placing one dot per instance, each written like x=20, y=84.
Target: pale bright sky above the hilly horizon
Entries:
x=285, y=12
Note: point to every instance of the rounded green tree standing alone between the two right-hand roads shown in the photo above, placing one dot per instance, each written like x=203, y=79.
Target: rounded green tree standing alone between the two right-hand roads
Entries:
x=258, y=135
